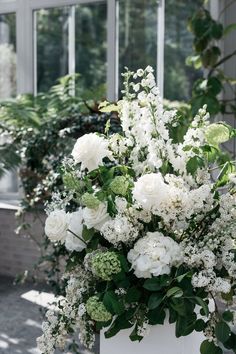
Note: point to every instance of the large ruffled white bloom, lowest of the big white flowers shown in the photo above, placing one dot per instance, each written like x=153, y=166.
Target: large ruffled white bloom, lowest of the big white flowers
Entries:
x=154, y=255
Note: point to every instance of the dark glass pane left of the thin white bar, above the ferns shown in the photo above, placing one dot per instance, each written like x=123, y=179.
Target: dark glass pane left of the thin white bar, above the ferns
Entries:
x=52, y=46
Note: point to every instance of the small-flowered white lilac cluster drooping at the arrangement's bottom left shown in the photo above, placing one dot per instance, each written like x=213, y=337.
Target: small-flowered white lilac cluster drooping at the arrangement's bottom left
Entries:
x=71, y=313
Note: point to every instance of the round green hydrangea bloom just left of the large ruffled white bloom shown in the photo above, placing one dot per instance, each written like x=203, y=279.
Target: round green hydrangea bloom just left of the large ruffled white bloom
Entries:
x=106, y=264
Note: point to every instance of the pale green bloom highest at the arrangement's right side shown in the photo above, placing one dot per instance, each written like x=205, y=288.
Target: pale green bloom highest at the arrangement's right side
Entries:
x=217, y=133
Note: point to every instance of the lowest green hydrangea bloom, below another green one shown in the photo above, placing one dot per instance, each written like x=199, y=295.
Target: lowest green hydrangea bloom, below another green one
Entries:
x=96, y=310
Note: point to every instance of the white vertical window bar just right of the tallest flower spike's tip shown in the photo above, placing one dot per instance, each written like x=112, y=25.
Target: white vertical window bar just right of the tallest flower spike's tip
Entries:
x=160, y=45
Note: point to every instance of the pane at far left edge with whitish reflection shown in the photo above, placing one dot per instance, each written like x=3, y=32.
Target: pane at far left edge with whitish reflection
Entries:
x=7, y=55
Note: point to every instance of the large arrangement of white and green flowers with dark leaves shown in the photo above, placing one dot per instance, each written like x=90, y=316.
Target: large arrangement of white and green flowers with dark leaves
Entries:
x=147, y=229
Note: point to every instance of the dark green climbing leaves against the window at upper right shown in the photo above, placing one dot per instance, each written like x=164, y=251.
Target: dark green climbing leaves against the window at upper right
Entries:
x=207, y=32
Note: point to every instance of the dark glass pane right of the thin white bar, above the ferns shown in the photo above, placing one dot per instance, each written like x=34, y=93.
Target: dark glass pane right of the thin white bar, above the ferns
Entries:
x=91, y=44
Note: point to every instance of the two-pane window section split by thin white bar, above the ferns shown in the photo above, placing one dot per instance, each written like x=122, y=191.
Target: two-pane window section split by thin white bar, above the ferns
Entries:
x=71, y=39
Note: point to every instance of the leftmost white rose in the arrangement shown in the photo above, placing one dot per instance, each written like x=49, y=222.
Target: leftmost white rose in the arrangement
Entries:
x=56, y=226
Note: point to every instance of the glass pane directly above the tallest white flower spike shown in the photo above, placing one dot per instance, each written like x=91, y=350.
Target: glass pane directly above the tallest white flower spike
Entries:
x=137, y=34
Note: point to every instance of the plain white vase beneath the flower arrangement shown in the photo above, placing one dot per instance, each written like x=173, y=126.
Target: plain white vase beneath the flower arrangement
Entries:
x=161, y=340
